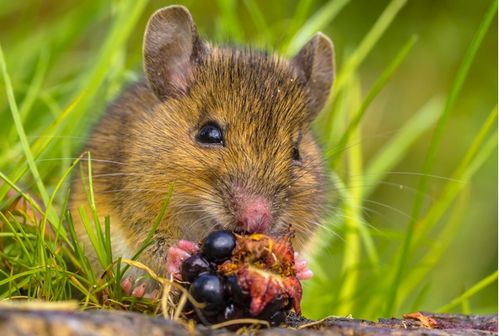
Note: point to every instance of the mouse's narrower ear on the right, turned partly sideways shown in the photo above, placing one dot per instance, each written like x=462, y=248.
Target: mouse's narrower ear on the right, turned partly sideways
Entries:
x=315, y=63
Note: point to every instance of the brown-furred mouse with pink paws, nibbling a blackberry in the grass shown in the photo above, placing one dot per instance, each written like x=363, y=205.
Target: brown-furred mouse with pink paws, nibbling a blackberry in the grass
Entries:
x=228, y=129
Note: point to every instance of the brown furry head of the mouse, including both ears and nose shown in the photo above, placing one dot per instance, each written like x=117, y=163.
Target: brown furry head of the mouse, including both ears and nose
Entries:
x=232, y=129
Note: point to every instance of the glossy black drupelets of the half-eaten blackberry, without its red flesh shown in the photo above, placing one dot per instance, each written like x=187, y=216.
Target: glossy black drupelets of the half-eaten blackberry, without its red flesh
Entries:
x=222, y=295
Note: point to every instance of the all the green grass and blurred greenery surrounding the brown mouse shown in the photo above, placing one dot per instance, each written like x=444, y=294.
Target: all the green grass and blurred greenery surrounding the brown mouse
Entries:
x=414, y=169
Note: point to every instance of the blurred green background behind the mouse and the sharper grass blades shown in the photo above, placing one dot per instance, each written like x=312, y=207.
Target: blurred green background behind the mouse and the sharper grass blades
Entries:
x=56, y=51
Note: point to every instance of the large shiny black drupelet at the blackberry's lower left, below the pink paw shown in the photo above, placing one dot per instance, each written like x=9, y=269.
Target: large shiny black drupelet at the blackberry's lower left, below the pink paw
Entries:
x=209, y=289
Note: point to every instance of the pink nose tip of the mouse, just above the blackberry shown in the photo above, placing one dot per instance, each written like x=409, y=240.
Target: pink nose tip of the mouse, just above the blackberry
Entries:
x=255, y=215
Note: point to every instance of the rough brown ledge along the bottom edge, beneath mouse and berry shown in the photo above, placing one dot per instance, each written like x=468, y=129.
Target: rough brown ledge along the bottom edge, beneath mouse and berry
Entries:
x=45, y=319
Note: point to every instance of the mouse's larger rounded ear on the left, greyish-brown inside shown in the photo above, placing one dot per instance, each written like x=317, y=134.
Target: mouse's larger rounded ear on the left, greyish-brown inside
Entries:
x=172, y=50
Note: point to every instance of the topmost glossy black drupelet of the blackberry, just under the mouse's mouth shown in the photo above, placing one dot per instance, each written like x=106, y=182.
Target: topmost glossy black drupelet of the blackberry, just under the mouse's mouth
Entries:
x=218, y=246
